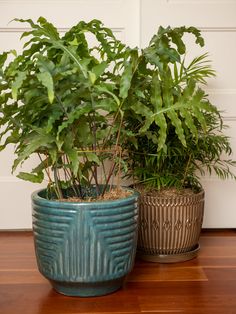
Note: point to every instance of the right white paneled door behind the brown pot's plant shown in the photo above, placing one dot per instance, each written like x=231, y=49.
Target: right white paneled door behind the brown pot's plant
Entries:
x=217, y=21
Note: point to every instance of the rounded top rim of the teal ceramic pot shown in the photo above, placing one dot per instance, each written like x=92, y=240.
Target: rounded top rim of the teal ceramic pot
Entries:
x=39, y=199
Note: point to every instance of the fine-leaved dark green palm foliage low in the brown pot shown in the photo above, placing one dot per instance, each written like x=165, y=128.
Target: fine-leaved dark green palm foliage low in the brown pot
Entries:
x=180, y=166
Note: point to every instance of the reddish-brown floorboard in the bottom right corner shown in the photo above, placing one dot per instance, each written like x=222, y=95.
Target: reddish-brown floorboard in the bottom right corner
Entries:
x=190, y=298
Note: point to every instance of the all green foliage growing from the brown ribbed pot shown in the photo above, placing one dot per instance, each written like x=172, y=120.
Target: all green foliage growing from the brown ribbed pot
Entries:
x=177, y=133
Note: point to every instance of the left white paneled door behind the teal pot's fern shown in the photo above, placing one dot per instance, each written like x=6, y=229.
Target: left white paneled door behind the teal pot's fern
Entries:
x=120, y=15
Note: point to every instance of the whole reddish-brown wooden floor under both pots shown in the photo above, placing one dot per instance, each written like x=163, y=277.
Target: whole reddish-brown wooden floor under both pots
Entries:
x=204, y=285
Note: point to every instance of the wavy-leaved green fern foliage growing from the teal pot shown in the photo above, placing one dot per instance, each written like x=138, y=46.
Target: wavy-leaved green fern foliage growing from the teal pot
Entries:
x=61, y=100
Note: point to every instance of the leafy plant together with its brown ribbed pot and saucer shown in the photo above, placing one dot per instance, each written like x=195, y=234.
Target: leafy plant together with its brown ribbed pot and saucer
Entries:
x=179, y=136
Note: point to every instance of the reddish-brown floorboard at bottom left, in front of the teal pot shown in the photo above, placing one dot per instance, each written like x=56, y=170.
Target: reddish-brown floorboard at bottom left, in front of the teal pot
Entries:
x=41, y=299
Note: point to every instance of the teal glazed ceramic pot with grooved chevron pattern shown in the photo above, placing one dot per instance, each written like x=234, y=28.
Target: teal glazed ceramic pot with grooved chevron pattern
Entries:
x=85, y=249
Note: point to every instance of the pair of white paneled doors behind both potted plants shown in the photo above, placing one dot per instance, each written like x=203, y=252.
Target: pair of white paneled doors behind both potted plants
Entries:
x=134, y=21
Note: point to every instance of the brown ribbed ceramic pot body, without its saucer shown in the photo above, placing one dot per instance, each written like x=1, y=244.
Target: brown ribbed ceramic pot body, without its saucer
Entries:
x=170, y=225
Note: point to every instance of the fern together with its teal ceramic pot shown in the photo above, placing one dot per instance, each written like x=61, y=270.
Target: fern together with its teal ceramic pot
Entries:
x=62, y=101
